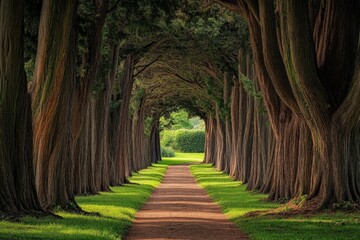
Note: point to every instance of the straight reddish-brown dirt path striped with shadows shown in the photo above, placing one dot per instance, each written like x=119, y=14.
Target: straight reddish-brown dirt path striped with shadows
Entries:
x=180, y=209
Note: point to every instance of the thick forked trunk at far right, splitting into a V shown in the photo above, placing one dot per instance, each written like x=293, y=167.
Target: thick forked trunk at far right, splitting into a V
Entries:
x=322, y=103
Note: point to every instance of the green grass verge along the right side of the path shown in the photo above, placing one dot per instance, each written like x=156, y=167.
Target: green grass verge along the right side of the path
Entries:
x=236, y=202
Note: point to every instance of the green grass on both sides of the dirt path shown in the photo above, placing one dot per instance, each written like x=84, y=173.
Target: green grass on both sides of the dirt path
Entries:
x=118, y=208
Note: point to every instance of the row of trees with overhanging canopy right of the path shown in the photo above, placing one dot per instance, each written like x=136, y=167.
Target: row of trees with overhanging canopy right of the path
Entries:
x=279, y=96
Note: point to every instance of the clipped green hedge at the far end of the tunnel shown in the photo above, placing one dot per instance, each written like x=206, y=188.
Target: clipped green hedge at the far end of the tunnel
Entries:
x=189, y=140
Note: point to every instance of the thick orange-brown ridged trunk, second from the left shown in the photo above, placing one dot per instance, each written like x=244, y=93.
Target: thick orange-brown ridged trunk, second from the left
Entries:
x=52, y=105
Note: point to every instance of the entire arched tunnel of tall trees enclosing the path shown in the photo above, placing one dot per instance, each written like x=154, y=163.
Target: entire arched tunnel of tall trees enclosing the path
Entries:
x=276, y=83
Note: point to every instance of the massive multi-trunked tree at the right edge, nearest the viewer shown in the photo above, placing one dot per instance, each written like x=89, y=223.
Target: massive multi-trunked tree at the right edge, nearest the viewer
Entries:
x=312, y=92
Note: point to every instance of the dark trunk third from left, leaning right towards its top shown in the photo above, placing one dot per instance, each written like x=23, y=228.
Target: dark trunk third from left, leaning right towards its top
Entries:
x=81, y=100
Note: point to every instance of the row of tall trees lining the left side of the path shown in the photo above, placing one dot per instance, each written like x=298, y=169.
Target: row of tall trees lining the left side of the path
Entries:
x=70, y=128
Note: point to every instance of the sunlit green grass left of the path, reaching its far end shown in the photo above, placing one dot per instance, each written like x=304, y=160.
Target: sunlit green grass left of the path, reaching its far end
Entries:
x=117, y=209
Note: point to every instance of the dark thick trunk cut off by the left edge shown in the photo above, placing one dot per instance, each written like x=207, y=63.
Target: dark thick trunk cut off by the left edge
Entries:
x=17, y=188
